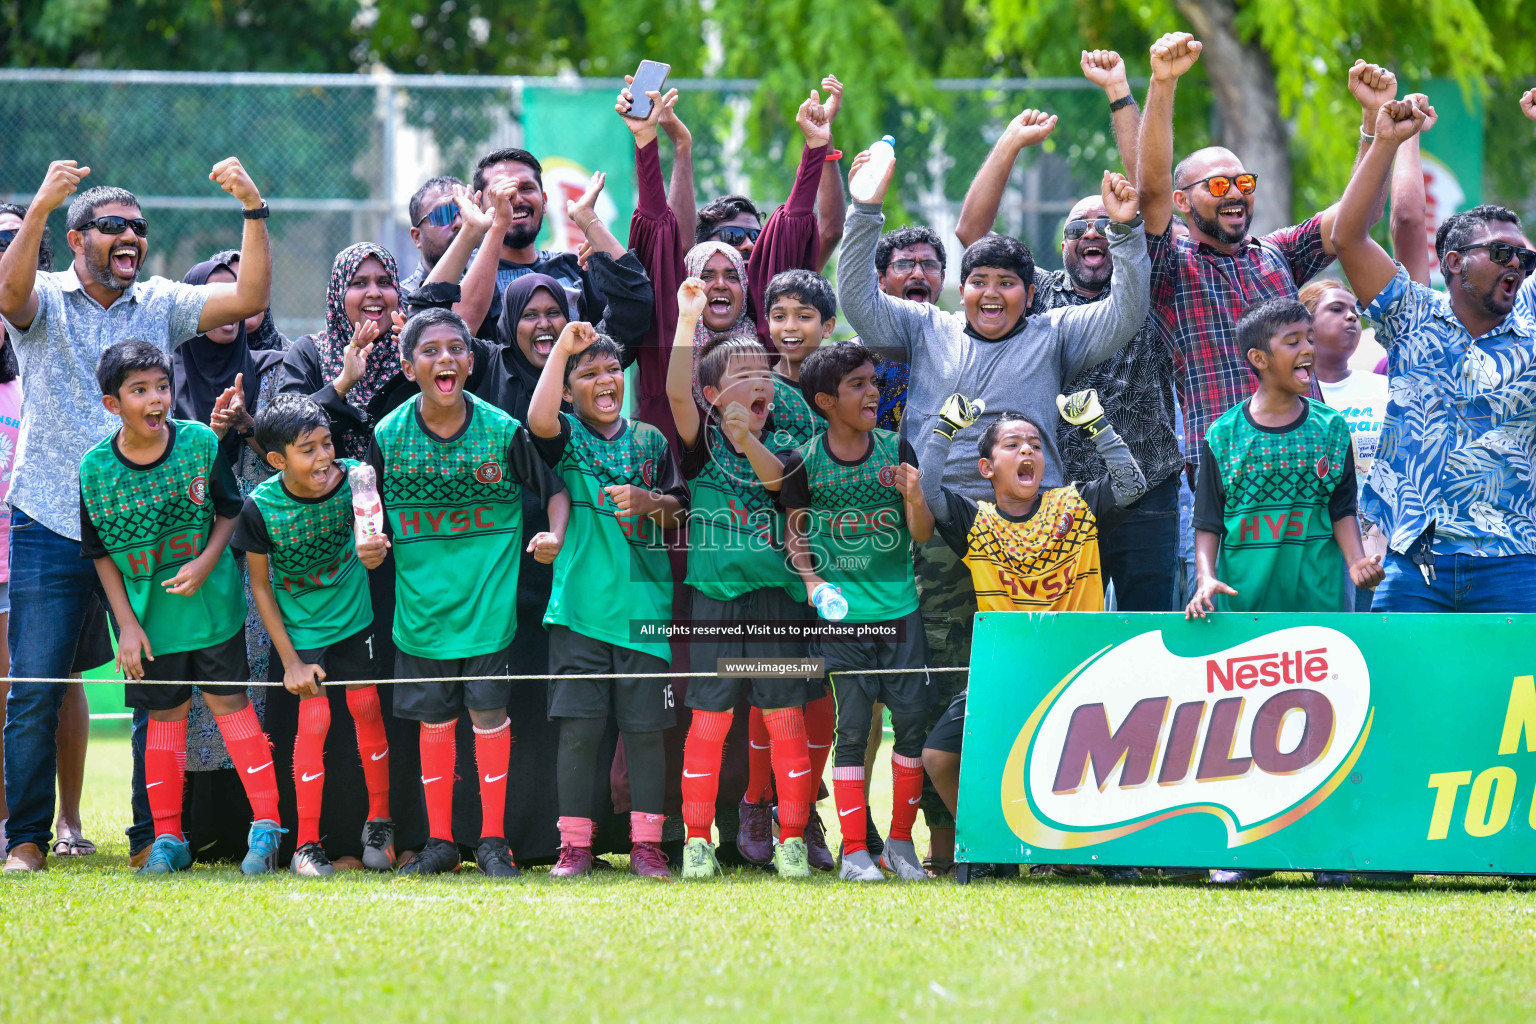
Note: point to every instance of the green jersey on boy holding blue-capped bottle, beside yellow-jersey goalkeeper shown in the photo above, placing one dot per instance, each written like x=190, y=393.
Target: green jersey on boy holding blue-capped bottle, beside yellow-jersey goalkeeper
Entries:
x=858, y=526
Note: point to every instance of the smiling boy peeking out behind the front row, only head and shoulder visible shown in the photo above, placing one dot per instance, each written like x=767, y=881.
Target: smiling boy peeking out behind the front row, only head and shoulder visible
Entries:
x=803, y=312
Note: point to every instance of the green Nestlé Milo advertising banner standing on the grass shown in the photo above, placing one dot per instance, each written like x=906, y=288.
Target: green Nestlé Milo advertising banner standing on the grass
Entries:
x=1253, y=741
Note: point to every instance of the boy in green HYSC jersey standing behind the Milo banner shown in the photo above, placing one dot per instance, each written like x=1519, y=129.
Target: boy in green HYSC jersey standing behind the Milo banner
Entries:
x=1277, y=484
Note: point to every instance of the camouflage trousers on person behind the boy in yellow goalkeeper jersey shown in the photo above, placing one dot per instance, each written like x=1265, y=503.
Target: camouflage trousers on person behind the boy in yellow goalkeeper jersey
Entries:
x=947, y=601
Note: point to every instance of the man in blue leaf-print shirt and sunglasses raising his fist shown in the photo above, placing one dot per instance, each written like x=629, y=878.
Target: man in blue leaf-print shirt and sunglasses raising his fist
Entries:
x=1451, y=486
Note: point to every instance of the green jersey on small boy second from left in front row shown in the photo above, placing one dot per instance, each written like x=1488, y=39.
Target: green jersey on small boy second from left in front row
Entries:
x=320, y=586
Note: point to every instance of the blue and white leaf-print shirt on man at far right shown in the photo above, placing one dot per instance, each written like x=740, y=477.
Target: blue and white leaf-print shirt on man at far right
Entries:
x=1458, y=446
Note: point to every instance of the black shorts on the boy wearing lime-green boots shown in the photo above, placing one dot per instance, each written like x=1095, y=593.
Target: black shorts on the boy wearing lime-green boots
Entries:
x=770, y=692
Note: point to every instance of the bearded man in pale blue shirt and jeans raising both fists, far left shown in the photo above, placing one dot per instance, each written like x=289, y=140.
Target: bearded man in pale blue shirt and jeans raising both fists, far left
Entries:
x=61, y=325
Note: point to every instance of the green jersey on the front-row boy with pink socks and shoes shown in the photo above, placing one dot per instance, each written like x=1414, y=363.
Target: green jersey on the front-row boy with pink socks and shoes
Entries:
x=612, y=570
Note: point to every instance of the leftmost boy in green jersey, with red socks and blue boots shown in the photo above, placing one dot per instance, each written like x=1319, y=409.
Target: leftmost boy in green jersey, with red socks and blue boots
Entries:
x=157, y=509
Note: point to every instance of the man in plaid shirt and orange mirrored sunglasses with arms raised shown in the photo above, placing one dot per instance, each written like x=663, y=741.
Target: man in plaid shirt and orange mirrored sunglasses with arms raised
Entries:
x=1203, y=285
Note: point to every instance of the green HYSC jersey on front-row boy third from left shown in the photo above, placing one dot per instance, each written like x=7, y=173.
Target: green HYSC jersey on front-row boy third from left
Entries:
x=454, y=512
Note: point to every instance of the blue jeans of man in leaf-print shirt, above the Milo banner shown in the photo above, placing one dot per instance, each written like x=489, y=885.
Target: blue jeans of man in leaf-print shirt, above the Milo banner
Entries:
x=1463, y=583
